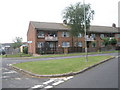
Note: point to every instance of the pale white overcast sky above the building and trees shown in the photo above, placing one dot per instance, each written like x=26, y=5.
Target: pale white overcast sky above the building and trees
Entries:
x=15, y=15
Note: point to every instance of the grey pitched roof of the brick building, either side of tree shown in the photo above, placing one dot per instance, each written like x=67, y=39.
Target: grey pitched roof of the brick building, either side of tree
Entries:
x=61, y=26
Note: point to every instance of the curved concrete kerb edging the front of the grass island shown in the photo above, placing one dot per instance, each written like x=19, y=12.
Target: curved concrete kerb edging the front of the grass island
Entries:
x=56, y=75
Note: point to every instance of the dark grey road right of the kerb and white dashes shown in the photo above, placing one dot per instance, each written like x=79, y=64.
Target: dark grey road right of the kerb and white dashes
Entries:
x=101, y=76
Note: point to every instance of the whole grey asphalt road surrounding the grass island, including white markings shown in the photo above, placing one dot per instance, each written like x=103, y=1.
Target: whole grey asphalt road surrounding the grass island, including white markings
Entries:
x=92, y=78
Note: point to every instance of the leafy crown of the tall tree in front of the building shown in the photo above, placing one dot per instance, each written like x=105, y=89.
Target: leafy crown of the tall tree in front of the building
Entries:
x=74, y=14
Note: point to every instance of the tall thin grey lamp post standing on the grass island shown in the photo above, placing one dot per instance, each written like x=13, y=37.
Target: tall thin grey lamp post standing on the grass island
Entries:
x=86, y=56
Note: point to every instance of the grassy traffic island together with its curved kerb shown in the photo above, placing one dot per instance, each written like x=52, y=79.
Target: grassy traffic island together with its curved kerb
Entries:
x=59, y=68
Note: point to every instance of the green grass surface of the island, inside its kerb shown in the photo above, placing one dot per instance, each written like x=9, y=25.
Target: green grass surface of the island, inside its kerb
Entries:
x=60, y=66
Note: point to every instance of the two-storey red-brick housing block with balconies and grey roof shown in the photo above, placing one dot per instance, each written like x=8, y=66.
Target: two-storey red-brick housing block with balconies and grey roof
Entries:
x=47, y=37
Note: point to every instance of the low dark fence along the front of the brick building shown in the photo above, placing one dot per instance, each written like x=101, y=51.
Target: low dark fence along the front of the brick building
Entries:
x=61, y=50
